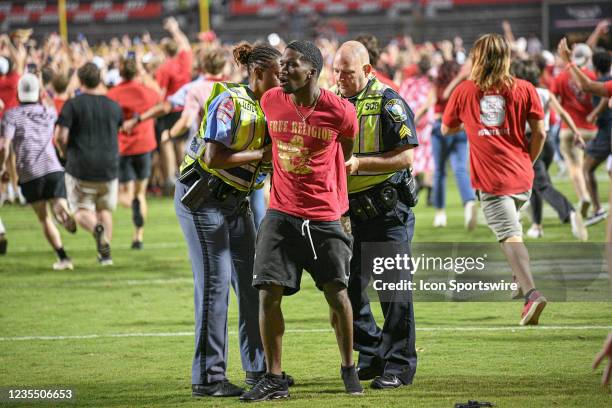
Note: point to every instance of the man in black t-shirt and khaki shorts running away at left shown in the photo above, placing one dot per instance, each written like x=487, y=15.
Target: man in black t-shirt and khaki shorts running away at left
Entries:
x=87, y=134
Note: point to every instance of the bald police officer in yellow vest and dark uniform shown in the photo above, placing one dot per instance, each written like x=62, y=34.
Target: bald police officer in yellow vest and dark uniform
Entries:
x=380, y=200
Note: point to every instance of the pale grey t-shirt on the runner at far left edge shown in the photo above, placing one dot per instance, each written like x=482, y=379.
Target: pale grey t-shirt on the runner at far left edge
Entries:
x=30, y=128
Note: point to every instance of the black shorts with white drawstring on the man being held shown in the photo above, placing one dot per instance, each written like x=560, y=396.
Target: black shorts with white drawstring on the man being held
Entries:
x=284, y=250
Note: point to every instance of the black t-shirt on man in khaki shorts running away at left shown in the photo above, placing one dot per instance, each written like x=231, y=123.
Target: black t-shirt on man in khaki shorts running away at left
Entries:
x=92, y=153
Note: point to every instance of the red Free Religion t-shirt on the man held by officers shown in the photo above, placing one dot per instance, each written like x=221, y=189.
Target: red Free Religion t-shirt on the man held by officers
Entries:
x=309, y=178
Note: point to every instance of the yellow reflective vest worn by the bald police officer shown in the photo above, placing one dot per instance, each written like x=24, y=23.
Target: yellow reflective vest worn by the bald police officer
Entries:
x=369, y=108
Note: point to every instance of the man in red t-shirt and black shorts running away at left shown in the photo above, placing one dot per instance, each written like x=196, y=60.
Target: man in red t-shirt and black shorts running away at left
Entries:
x=135, y=147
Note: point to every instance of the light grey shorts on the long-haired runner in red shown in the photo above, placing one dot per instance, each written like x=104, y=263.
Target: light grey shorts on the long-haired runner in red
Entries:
x=502, y=213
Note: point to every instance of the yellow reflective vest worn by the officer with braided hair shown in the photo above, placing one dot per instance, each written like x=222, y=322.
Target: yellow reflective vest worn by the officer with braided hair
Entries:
x=248, y=133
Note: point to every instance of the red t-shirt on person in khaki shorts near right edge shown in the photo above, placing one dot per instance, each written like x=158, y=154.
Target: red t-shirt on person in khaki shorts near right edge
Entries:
x=577, y=103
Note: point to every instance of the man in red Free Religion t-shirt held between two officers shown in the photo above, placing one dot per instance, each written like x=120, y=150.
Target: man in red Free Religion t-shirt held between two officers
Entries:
x=313, y=133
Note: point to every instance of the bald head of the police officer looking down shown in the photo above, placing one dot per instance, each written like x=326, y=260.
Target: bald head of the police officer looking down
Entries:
x=351, y=68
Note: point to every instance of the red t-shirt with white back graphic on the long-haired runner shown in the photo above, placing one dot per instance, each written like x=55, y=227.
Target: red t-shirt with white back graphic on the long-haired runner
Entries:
x=495, y=124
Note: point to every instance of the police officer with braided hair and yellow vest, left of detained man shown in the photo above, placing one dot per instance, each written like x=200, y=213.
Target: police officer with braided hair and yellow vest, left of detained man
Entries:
x=222, y=166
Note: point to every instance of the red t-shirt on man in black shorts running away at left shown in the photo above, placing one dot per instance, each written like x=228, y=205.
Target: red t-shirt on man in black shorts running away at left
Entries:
x=134, y=97
